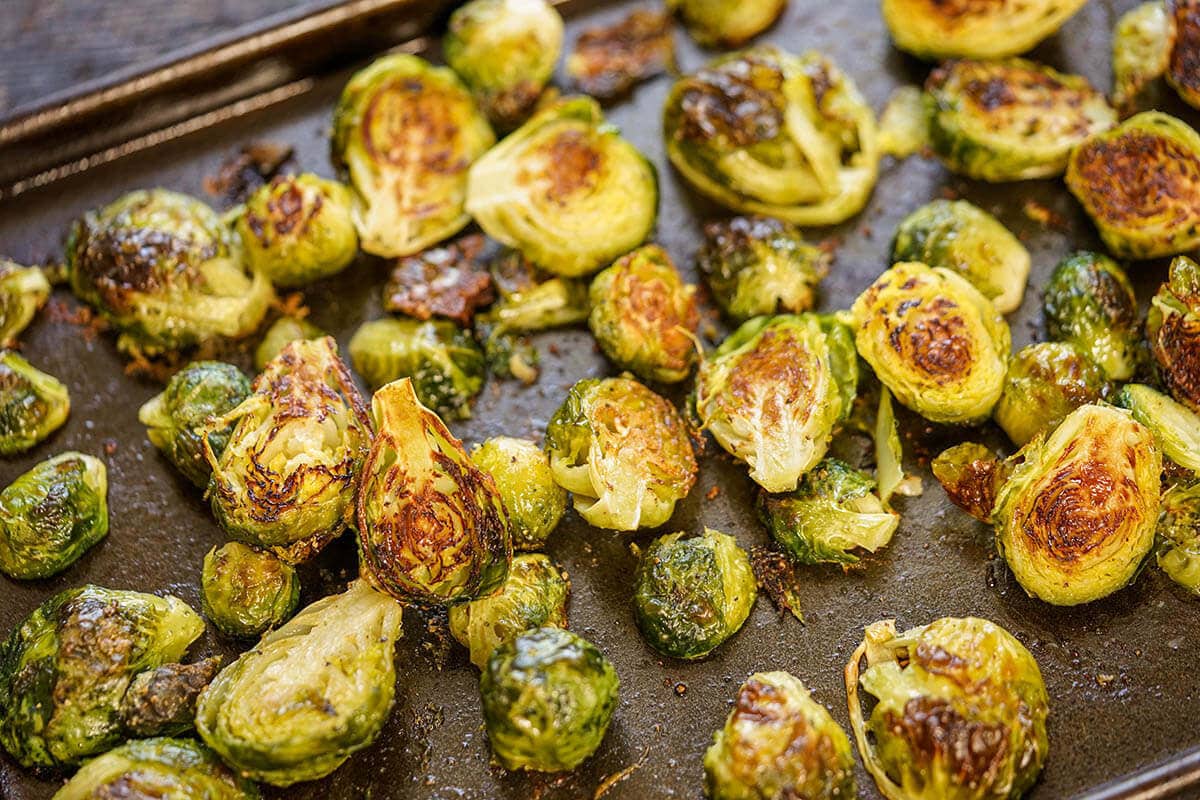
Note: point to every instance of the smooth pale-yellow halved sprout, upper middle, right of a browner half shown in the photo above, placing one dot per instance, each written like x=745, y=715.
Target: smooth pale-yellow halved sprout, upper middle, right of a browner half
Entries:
x=566, y=190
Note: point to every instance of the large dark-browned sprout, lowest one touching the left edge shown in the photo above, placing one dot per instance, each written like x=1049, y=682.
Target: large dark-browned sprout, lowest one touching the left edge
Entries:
x=65, y=670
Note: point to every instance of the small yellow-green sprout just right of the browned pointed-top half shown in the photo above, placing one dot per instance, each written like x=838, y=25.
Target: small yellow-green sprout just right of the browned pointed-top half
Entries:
x=526, y=483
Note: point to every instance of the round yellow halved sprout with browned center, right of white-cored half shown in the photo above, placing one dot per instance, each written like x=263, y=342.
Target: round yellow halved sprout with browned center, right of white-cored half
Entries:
x=935, y=341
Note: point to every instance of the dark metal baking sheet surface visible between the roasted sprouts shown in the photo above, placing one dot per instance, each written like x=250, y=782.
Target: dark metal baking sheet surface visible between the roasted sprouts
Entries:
x=1123, y=672
